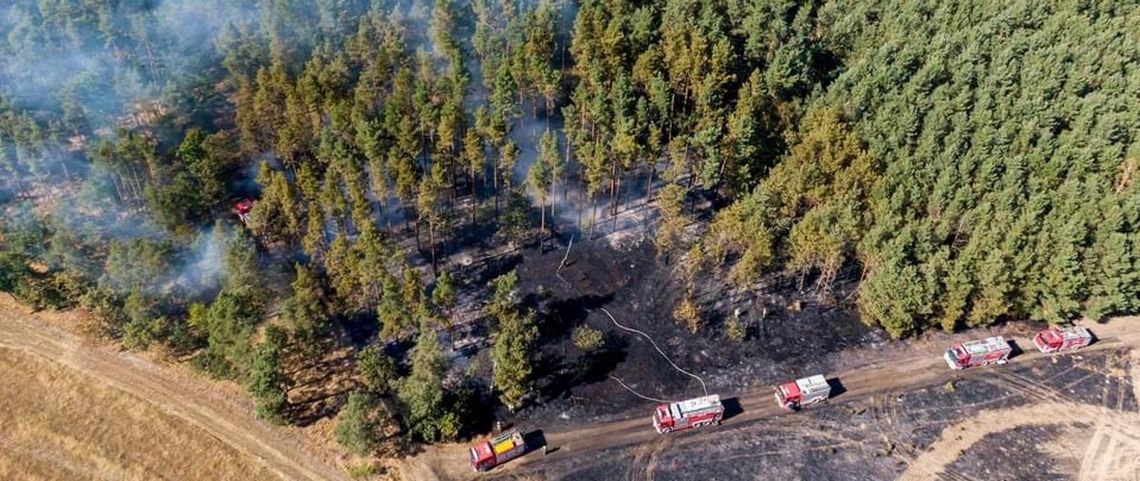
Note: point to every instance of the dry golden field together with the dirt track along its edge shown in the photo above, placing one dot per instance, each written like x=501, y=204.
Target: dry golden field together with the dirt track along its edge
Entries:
x=72, y=410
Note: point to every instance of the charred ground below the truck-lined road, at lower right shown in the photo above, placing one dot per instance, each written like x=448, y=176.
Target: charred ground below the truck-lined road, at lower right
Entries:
x=880, y=438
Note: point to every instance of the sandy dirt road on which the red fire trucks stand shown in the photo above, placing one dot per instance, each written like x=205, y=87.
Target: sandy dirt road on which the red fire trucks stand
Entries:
x=922, y=368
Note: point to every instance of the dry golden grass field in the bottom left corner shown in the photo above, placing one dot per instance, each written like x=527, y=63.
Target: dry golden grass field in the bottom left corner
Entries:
x=60, y=425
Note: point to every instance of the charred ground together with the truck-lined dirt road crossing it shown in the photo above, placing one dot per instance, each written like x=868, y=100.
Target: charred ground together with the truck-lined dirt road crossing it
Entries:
x=900, y=412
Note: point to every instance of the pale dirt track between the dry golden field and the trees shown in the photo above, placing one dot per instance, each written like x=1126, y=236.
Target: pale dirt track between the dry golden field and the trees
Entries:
x=177, y=396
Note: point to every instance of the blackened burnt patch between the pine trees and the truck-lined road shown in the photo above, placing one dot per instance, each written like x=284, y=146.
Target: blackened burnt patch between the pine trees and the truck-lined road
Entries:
x=641, y=292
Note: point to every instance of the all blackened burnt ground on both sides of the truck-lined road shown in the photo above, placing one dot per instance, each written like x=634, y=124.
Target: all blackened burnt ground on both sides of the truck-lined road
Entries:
x=867, y=439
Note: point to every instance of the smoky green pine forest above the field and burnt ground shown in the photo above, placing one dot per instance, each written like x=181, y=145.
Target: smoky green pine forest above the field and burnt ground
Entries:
x=971, y=174
